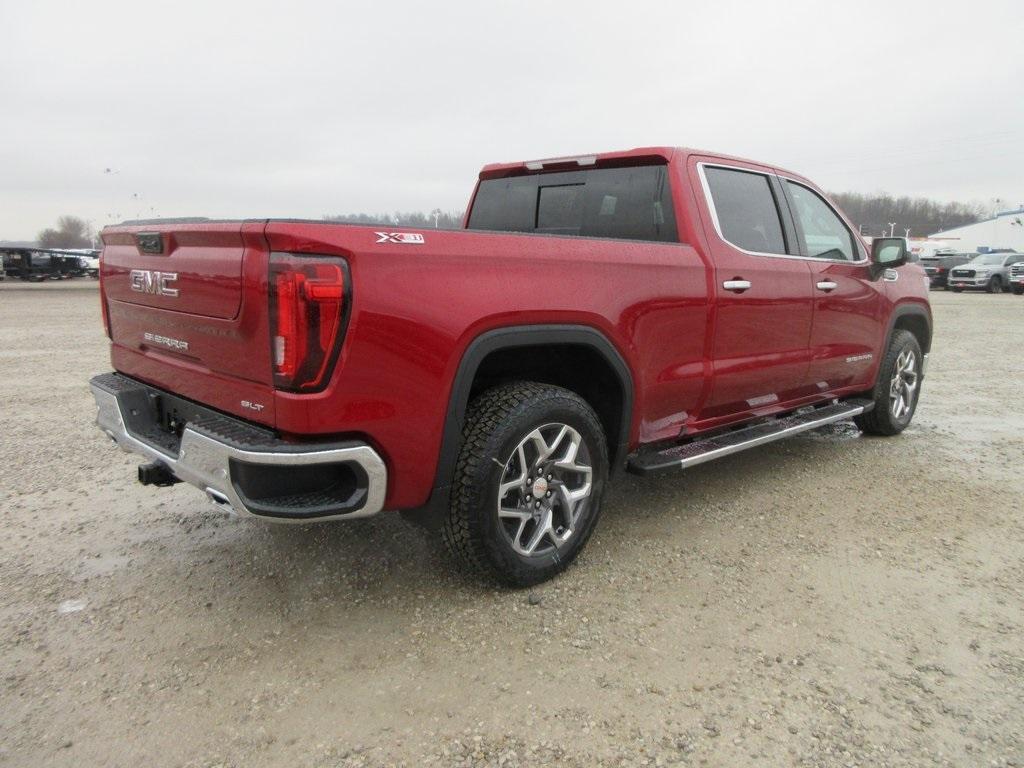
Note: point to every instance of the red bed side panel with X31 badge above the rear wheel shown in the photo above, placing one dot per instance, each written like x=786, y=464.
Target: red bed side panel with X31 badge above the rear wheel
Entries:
x=416, y=309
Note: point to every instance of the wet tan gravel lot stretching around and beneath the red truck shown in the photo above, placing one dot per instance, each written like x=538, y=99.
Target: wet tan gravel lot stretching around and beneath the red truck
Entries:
x=831, y=601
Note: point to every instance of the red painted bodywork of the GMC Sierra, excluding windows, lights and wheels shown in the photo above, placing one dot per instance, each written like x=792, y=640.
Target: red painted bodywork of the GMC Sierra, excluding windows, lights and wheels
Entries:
x=700, y=357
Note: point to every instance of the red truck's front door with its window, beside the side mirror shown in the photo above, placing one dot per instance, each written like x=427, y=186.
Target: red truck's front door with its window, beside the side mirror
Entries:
x=850, y=306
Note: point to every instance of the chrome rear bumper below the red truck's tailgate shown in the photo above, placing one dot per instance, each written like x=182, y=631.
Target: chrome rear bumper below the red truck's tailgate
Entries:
x=211, y=457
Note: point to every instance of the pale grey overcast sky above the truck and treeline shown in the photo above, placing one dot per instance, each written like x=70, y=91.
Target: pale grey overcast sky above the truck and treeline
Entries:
x=306, y=109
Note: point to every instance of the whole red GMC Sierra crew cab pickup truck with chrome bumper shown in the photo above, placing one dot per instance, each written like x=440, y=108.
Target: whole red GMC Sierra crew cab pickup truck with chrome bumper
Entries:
x=641, y=311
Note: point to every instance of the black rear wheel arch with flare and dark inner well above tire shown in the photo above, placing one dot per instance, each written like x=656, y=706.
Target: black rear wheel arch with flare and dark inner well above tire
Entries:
x=503, y=345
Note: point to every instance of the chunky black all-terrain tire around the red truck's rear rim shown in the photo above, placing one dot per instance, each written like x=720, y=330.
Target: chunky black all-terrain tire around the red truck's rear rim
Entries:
x=498, y=422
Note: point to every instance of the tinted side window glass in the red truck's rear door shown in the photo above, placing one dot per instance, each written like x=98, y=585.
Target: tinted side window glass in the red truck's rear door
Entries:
x=746, y=210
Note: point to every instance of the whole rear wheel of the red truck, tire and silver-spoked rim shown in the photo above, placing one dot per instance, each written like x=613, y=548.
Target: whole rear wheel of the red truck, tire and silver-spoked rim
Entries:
x=529, y=483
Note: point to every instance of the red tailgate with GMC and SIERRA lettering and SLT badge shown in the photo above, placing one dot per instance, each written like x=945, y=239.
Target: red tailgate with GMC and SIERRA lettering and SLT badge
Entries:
x=188, y=309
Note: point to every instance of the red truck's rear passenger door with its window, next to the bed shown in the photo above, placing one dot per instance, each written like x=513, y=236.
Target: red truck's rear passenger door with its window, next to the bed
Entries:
x=762, y=289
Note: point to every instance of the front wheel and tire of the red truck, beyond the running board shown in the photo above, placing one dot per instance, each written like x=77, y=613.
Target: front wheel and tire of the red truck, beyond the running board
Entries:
x=898, y=389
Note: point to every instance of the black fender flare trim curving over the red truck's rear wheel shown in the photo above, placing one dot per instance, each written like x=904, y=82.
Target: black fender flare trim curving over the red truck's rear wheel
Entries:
x=522, y=336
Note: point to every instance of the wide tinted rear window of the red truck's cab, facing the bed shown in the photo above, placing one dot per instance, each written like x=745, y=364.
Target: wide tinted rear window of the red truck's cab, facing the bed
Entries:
x=624, y=203
